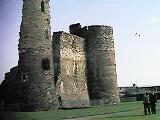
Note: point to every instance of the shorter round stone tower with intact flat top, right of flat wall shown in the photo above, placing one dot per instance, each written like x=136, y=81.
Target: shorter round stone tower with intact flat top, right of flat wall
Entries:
x=101, y=65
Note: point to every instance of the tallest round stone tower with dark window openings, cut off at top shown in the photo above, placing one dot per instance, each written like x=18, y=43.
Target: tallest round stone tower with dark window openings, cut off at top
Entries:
x=36, y=57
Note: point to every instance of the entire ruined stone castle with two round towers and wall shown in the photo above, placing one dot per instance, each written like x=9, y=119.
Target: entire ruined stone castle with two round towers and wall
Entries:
x=68, y=70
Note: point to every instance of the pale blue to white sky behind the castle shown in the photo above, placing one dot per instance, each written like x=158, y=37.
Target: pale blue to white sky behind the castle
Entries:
x=137, y=57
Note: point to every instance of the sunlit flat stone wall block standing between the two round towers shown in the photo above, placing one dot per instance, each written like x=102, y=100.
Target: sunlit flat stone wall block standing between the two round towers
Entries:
x=70, y=67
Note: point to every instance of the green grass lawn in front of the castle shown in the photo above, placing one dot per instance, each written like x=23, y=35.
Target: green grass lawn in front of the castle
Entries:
x=123, y=111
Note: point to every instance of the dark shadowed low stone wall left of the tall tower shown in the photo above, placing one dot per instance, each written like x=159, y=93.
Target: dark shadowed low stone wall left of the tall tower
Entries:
x=10, y=91
